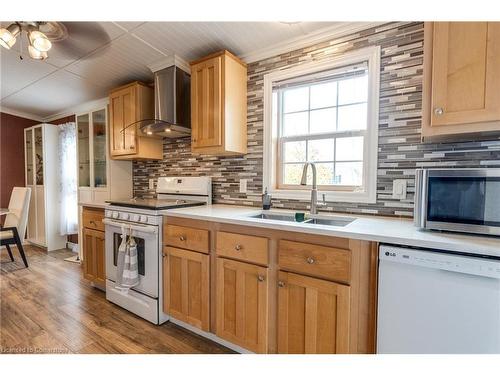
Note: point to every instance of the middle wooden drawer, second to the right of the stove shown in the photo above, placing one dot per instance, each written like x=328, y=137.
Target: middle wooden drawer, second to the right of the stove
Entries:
x=242, y=247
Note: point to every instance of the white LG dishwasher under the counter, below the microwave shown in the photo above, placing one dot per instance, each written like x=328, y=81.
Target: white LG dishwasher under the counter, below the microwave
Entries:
x=437, y=302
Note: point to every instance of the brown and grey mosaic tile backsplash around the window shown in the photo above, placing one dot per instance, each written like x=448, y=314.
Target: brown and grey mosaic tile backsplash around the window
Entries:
x=400, y=147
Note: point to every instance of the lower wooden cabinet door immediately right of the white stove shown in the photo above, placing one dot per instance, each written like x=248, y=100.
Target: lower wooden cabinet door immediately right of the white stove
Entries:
x=186, y=286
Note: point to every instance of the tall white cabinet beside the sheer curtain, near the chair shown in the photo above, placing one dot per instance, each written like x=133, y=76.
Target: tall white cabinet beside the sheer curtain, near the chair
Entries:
x=42, y=177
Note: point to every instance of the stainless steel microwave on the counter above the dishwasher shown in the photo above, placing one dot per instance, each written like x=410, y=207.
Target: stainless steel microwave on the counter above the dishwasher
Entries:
x=459, y=200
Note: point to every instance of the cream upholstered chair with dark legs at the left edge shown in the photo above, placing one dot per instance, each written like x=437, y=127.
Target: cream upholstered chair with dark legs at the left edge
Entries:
x=16, y=220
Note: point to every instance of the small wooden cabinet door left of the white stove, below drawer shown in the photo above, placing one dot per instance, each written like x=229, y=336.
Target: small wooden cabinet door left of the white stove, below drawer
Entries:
x=94, y=261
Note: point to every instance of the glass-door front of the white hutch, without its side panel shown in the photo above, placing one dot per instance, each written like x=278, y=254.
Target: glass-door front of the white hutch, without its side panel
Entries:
x=92, y=156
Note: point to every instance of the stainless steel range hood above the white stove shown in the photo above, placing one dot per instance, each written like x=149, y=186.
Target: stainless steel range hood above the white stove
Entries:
x=172, y=101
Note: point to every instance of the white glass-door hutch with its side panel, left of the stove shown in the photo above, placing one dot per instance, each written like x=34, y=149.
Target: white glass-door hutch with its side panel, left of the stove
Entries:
x=99, y=177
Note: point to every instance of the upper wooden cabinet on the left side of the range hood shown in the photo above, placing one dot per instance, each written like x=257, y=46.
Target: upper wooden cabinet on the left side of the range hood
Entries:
x=127, y=105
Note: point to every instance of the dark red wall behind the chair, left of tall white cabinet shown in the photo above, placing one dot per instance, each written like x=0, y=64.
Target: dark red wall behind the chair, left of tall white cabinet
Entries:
x=11, y=154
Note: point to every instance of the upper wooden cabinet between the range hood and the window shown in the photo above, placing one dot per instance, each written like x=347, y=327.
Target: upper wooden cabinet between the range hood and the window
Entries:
x=219, y=105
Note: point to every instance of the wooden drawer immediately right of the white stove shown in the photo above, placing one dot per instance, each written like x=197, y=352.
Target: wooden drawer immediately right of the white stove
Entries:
x=186, y=238
